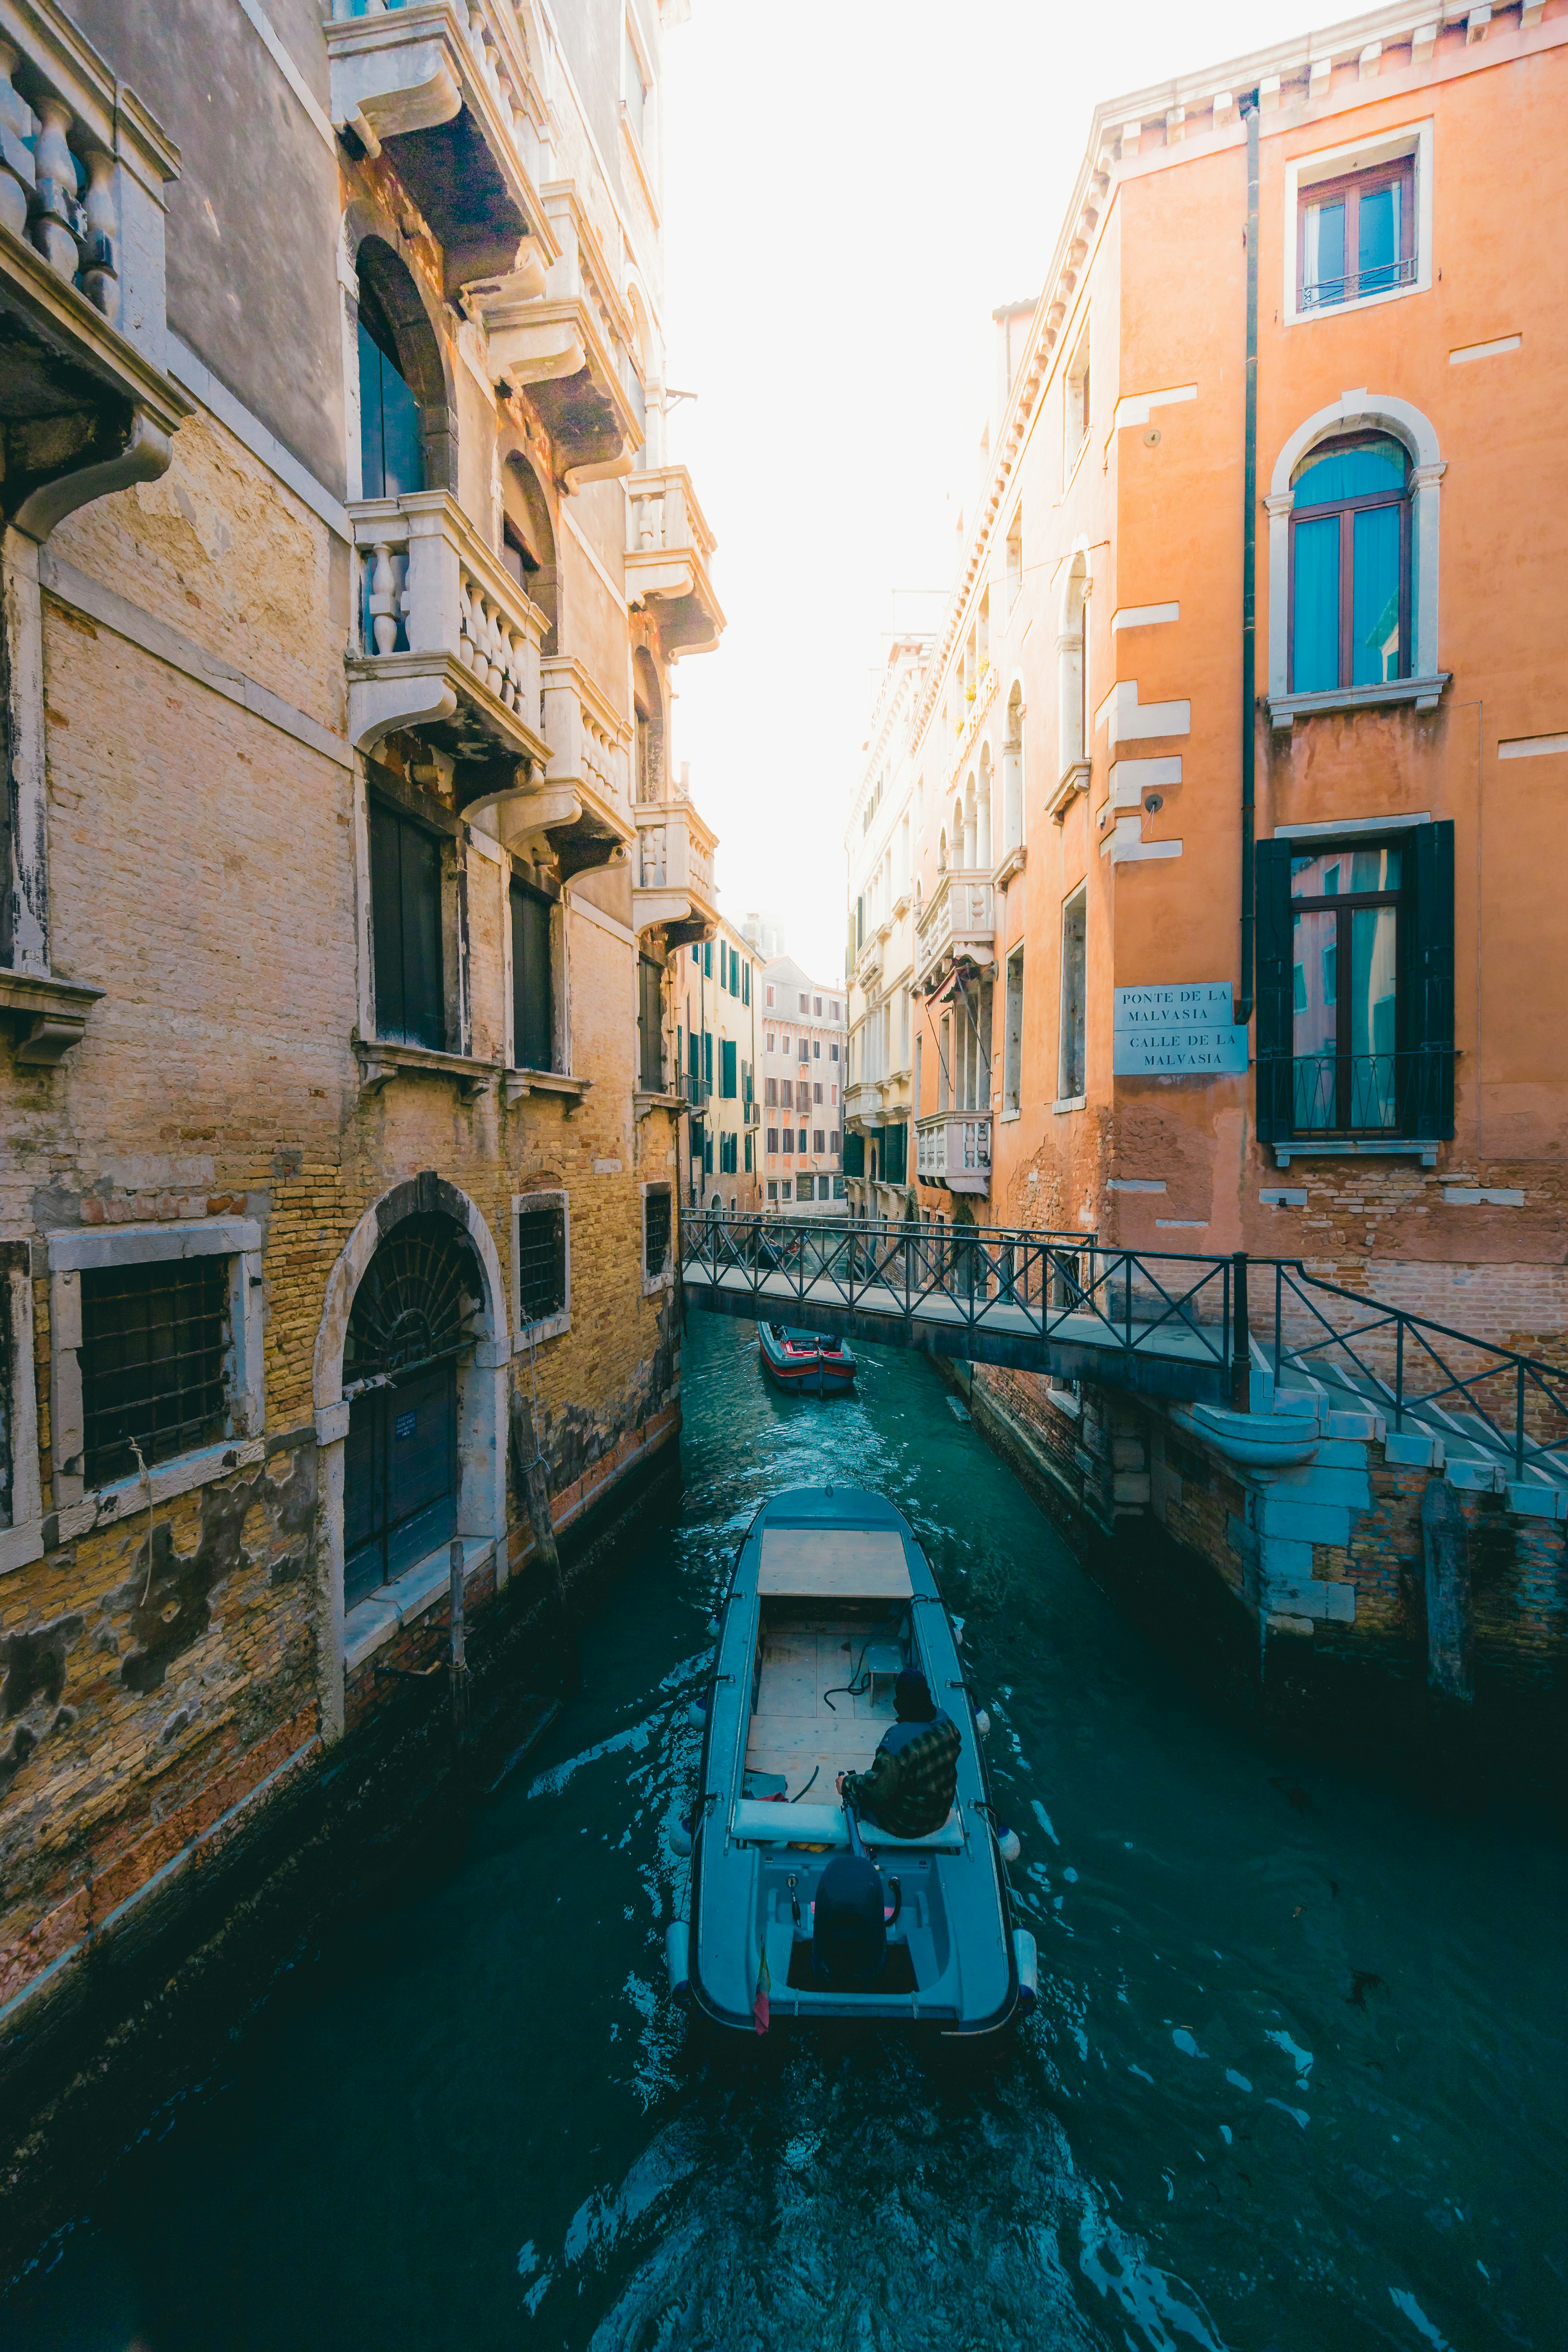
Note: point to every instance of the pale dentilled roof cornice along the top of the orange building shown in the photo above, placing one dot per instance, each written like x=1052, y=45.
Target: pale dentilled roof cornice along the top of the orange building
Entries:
x=1177, y=109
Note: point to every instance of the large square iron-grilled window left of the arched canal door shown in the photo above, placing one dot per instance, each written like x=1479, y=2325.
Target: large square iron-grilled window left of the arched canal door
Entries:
x=154, y=1363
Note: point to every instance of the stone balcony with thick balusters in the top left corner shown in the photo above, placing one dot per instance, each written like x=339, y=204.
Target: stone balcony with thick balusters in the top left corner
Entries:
x=86, y=399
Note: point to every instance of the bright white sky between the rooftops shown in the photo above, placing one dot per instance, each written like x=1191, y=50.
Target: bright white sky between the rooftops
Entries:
x=852, y=187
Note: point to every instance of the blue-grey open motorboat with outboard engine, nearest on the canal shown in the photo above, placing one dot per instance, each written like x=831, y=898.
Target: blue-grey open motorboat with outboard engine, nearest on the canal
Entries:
x=829, y=1603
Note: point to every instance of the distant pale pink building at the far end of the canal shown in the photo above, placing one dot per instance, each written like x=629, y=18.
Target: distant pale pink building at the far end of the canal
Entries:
x=803, y=1090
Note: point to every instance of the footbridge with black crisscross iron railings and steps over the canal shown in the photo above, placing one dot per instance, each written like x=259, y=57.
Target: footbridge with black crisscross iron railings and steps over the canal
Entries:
x=1160, y=1323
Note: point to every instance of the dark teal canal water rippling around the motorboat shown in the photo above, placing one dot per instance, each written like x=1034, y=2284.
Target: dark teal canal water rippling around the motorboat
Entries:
x=1296, y=2078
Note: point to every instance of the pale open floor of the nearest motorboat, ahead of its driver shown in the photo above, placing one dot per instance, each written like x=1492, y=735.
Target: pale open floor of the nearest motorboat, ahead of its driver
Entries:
x=796, y=1730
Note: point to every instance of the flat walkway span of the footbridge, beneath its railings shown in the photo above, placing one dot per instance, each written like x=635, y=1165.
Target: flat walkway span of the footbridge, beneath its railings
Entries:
x=1160, y=1358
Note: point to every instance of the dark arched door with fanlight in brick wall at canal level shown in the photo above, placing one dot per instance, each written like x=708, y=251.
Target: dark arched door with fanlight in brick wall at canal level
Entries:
x=410, y=1332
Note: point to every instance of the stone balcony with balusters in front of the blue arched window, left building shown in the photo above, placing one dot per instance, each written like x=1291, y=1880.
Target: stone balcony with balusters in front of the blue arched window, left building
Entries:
x=448, y=639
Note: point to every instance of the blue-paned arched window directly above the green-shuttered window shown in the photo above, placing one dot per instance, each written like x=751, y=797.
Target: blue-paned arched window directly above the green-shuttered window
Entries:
x=1351, y=566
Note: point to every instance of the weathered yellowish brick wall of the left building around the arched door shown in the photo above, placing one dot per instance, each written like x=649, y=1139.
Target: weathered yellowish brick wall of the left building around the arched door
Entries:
x=203, y=876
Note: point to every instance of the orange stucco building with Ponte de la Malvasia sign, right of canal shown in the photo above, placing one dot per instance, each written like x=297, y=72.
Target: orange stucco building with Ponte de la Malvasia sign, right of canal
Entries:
x=1087, y=928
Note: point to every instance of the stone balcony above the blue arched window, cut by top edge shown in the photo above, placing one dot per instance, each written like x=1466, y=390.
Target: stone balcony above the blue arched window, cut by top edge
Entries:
x=448, y=93
